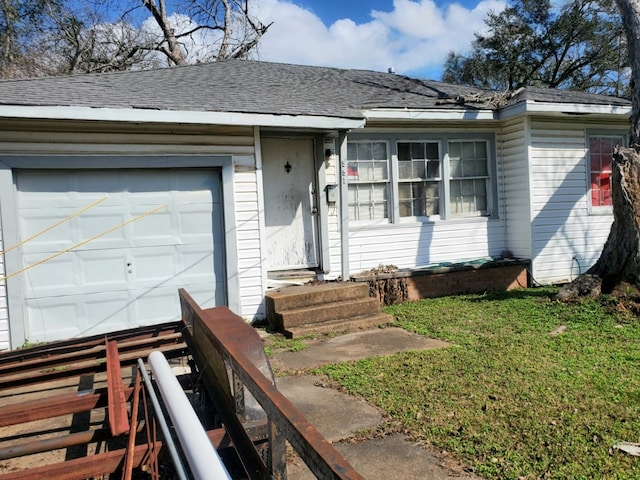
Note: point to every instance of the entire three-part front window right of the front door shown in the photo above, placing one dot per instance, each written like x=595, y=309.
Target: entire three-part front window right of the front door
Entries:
x=408, y=177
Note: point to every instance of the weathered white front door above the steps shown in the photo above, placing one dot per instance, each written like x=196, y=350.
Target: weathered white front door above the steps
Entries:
x=290, y=203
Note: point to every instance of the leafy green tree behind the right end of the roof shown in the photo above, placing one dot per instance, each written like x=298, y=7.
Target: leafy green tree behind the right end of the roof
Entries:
x=577, y=46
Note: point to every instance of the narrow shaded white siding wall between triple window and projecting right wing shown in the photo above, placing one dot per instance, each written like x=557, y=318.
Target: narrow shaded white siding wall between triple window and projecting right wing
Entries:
x=516, y=188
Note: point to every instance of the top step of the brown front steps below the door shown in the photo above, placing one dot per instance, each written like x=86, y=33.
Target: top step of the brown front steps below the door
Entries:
x=291, y=298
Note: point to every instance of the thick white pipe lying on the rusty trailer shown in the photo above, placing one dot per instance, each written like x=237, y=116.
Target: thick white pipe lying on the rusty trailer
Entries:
x=204, y=461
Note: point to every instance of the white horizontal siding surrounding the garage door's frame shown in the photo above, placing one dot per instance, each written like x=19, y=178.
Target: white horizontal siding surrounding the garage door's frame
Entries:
x=236, y=142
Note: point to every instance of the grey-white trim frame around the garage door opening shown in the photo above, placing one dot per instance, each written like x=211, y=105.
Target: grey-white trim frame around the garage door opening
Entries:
x=9, y=164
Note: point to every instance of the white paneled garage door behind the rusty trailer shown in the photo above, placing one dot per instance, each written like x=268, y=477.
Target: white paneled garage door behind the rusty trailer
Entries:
x=122, y=243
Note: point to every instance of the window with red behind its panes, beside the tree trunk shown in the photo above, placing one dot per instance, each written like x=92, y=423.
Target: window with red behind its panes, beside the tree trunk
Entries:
x=600, y=160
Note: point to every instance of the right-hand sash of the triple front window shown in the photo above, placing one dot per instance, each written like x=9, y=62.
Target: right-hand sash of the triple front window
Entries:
x=469, y=170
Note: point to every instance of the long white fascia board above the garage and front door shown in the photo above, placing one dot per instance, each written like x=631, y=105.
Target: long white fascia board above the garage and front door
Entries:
x=176, y=116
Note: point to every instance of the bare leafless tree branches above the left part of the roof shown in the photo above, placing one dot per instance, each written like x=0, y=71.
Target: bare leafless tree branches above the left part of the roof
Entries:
x=53, y=37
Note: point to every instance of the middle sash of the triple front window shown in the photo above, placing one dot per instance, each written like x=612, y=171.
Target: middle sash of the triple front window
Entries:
x=419, y=177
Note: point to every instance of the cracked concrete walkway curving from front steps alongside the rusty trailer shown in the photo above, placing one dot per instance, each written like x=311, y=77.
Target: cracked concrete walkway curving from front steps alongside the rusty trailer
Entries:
x=339, y=416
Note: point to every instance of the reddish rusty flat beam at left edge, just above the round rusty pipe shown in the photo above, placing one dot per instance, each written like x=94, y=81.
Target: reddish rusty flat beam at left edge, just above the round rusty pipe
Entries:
x=40, y=409
